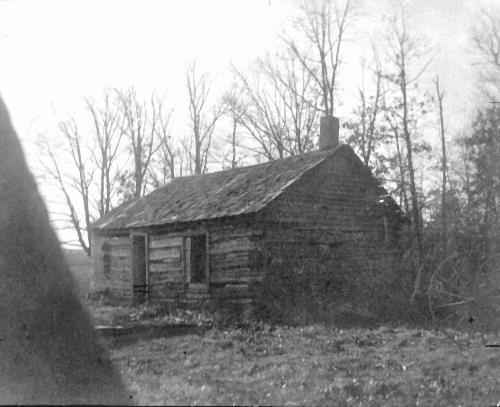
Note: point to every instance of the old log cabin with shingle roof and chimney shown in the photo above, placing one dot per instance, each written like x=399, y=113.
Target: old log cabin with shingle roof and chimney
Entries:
x=211, y=236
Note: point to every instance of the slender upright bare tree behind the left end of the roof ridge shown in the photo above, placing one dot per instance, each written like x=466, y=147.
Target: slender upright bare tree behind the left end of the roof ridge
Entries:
x=202, y=118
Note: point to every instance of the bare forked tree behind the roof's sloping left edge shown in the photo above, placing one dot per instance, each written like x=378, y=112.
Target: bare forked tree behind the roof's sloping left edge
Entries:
x=140, y=126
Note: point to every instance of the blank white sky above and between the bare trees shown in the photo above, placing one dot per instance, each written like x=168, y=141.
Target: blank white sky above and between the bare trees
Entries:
x=55, y=53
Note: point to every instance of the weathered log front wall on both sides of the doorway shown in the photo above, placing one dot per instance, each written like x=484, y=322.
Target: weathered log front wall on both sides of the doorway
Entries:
x=231, y=264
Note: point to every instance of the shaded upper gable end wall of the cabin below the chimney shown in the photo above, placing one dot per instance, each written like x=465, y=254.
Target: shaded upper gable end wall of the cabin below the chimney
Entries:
x=333, y=205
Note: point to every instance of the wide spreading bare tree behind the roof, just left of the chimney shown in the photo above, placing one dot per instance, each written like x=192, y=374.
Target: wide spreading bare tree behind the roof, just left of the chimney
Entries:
x=279, y=105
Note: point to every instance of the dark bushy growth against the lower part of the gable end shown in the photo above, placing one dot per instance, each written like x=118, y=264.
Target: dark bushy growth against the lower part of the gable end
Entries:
x=332, y=286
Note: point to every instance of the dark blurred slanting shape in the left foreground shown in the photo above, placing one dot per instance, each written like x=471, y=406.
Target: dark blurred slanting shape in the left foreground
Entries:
x=48, y=349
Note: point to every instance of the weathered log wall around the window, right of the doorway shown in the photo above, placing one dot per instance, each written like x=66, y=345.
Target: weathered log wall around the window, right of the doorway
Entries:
x=231, y=263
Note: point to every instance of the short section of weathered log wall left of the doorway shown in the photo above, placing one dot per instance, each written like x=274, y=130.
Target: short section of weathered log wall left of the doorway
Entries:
x=111, y=261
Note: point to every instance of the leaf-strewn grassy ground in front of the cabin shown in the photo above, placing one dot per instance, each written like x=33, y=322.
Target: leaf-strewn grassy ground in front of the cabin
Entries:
x=312, y=366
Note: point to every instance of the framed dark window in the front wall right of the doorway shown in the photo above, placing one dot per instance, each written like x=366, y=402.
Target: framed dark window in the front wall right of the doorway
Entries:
x=196, y=259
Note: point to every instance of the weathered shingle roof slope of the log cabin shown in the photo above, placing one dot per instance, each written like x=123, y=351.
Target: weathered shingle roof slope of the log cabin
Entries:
x=220, y=194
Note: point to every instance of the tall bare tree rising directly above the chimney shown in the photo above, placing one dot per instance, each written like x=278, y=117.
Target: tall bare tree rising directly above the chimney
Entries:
x=323, y=23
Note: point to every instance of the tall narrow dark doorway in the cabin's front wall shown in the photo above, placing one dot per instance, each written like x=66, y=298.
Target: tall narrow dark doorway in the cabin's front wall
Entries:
x=139, y=269
